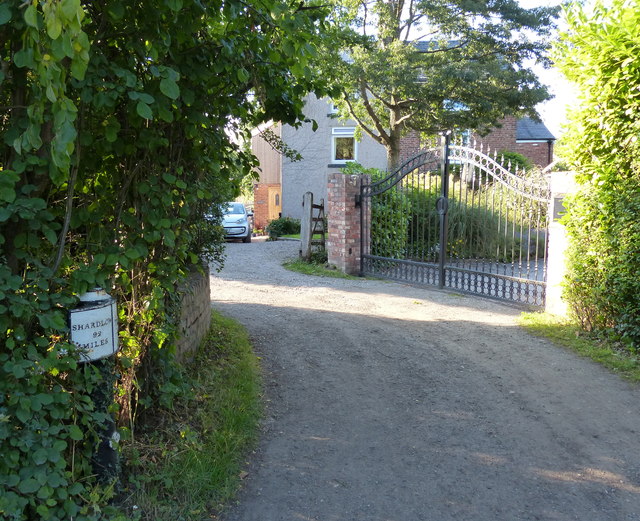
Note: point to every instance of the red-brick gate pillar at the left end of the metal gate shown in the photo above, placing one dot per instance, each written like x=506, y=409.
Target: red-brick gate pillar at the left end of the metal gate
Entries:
x=343, y=242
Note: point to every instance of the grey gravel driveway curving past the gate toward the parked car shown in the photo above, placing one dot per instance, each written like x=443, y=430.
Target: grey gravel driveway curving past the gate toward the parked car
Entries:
x=387, y=402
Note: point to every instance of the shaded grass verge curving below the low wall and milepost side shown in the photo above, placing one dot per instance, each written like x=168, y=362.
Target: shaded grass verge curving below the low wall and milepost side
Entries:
x=188, y=462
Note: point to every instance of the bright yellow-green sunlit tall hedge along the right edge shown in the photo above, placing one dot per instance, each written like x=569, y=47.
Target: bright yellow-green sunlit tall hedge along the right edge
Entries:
x=599, y=53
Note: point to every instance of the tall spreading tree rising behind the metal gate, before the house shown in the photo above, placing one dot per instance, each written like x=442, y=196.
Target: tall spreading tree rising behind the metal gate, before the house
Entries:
x=433, y=65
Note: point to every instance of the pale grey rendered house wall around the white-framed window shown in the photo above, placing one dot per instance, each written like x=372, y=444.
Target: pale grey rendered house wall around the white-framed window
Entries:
x=310, y=174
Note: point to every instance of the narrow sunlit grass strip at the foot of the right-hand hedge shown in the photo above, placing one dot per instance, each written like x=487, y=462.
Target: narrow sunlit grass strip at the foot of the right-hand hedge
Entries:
x=613, y=355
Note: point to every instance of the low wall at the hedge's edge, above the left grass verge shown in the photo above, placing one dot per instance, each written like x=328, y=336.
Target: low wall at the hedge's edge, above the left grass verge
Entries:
x=195, y=313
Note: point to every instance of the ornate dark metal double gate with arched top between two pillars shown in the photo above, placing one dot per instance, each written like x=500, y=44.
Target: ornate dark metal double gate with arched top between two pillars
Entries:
x=454, y=217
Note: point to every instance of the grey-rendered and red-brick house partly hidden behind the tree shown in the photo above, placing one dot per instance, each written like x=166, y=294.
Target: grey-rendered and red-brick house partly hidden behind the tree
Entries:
x=283, y=182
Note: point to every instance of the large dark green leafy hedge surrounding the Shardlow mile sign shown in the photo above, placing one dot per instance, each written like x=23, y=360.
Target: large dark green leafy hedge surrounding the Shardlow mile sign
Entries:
x=115, y=125
